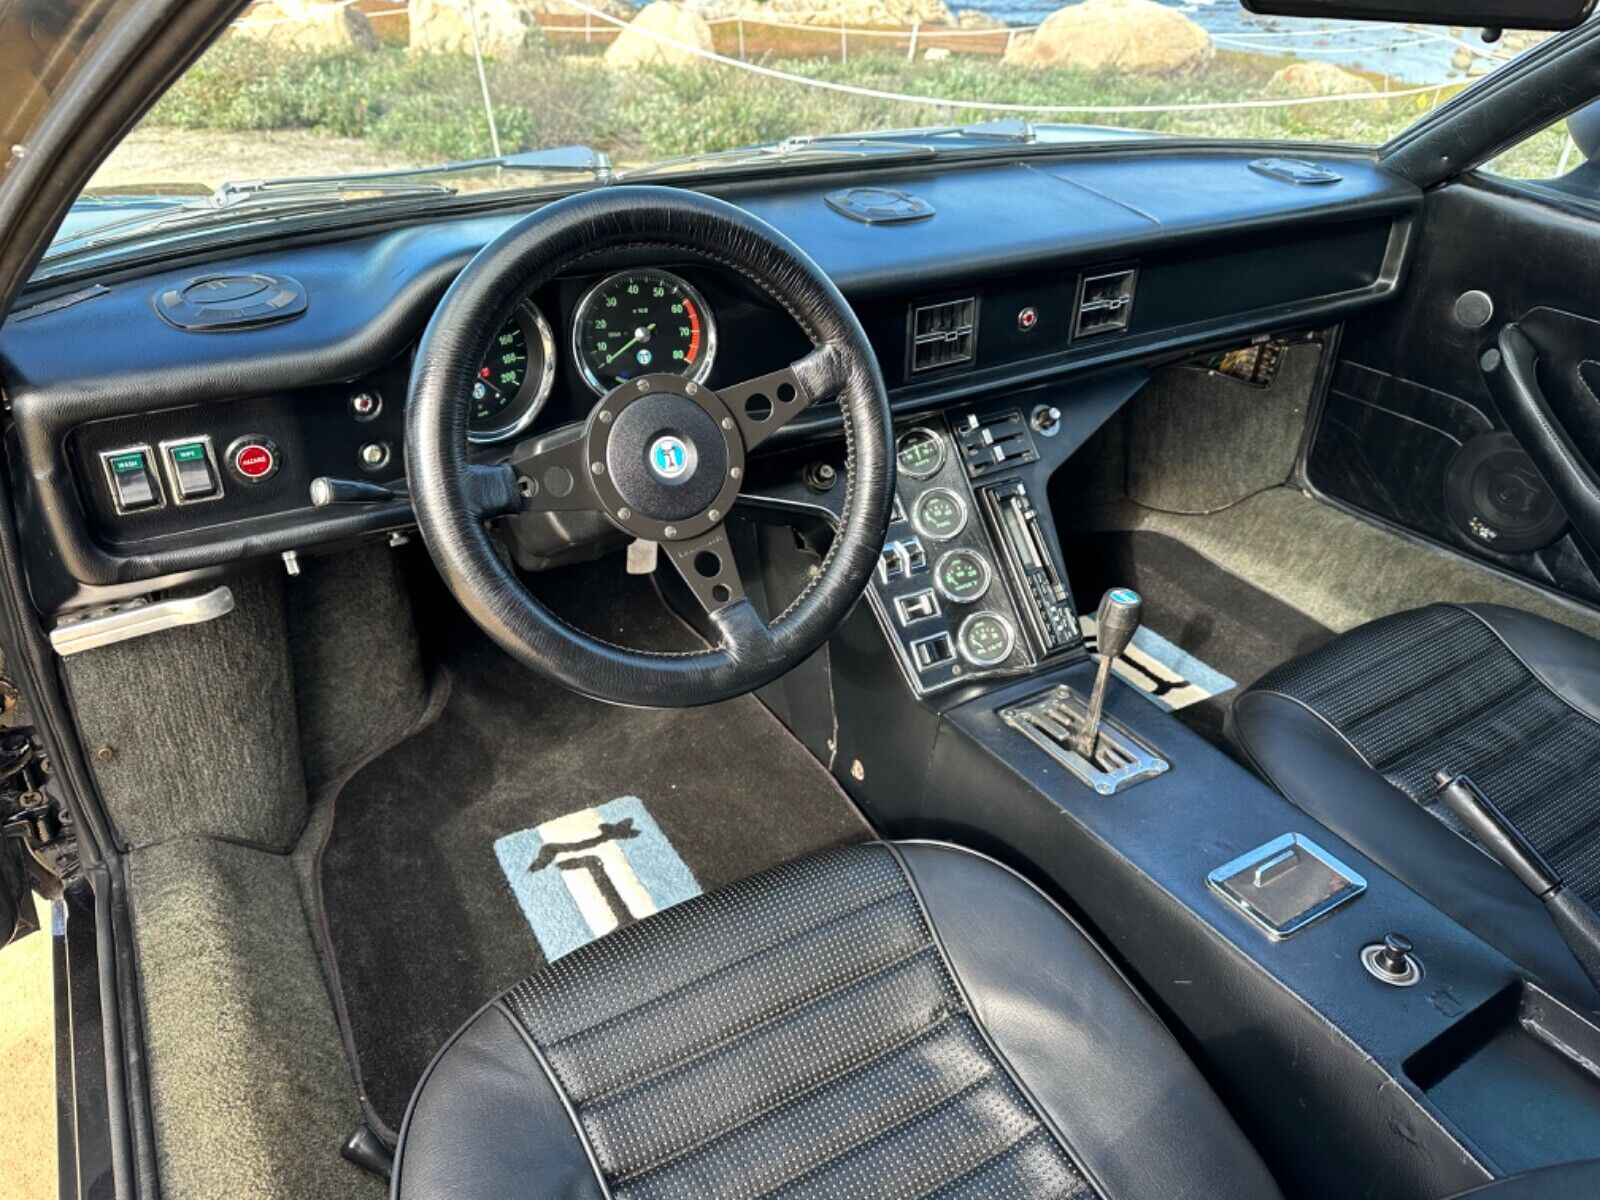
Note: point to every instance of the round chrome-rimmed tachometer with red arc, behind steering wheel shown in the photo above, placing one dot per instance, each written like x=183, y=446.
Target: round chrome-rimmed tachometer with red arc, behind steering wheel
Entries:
x=642, y=322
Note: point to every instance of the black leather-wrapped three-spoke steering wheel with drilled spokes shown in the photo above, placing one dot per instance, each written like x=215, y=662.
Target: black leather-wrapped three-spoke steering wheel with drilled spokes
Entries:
x=660, y=457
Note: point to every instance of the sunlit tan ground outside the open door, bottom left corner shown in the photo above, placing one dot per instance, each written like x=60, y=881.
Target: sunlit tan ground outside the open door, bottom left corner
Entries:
x=28, y=1074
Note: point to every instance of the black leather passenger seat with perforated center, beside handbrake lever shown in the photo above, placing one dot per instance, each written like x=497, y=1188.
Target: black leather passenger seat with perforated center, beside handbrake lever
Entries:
x=1356, y=732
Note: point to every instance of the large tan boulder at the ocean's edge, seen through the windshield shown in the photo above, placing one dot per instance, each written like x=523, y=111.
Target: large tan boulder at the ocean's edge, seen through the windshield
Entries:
x=1132, y=36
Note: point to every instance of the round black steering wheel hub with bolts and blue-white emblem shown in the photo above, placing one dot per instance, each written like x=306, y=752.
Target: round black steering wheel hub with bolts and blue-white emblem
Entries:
x=666, y=458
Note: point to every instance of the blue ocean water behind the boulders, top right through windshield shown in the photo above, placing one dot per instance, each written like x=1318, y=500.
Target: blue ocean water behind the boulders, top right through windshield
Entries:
x=1410, y=54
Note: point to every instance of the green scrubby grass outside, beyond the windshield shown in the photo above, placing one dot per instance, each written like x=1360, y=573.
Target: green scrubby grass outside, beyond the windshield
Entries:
x=430, y=108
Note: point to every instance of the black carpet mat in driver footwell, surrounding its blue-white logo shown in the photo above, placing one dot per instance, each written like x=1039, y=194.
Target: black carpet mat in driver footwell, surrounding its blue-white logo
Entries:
x=422, y=919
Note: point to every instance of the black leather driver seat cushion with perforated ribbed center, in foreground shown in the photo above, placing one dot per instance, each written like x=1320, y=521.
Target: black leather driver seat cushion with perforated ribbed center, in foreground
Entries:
x=886, y=1020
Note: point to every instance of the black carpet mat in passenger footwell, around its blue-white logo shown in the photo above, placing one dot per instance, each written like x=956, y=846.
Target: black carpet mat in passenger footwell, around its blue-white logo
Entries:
x=1199, y=607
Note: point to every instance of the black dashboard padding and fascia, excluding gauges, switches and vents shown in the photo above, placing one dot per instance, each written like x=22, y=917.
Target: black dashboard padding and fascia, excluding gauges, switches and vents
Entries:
x=1214, y=249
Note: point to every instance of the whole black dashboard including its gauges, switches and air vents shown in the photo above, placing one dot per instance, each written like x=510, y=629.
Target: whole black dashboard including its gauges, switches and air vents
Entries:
x=170, y=423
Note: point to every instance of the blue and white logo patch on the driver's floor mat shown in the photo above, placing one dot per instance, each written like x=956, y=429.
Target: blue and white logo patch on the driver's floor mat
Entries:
x=588, y=873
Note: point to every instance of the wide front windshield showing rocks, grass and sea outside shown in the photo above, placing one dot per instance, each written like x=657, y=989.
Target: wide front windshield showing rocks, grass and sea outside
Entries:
x=303, y=90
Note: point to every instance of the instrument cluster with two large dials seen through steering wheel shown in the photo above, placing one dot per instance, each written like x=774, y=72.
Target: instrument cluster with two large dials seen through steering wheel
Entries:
x=610, y=329
